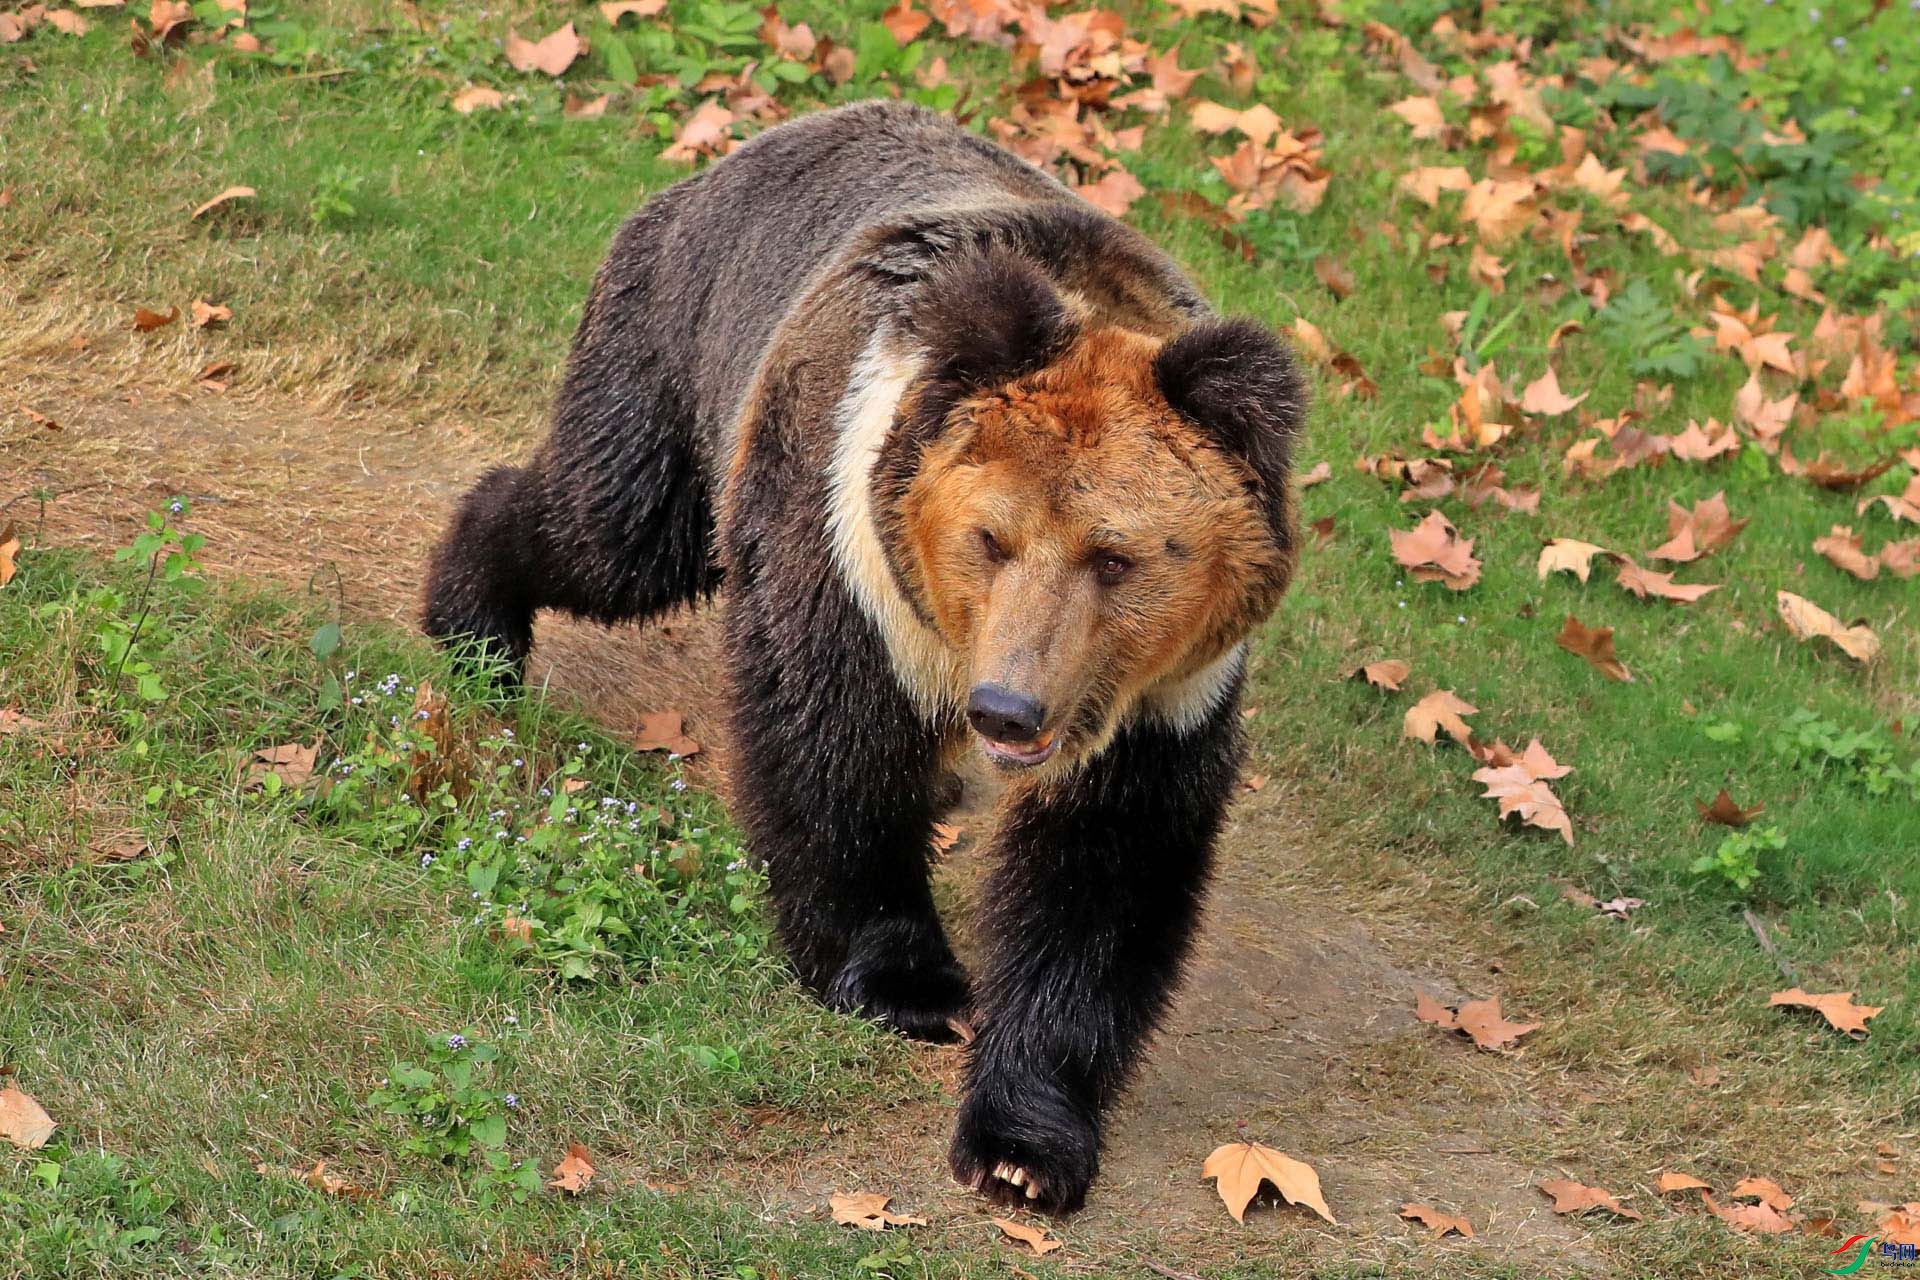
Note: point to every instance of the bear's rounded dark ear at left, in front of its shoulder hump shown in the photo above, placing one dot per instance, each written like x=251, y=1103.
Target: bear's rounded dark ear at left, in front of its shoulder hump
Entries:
x=988, y=318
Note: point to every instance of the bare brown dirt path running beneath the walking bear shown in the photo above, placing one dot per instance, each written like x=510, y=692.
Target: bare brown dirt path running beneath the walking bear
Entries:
x=1297, y=1020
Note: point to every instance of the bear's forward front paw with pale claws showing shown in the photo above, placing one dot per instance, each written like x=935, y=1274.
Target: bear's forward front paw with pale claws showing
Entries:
x=1034, y=1150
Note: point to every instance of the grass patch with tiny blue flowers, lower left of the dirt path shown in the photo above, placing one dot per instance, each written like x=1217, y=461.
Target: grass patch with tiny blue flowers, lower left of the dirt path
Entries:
x=237, y=995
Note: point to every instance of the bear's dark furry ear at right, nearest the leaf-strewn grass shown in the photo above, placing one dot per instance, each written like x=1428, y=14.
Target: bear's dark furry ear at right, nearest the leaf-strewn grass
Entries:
x=1241, y=387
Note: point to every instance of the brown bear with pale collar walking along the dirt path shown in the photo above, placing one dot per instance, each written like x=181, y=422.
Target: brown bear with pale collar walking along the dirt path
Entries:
x=974, y=463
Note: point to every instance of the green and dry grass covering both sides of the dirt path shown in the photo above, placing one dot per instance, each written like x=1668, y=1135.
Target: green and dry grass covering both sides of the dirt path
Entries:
x=274, y=959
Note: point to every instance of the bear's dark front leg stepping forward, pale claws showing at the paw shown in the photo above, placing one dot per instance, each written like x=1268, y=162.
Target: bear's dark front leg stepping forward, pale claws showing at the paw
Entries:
x=1090, y=914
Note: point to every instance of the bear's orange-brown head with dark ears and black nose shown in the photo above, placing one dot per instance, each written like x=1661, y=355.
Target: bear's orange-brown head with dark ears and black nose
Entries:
x=1090, y=517
